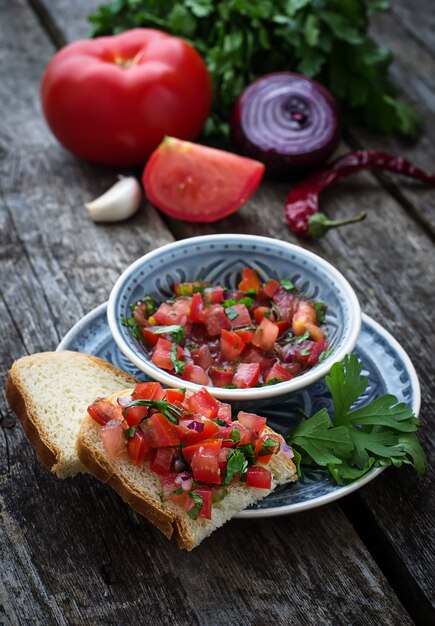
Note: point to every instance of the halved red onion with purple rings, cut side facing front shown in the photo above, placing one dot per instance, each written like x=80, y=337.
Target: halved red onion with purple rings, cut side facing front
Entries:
x=287, y=121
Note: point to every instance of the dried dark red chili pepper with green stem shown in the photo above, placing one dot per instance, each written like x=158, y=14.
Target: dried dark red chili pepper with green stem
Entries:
x=302, y=206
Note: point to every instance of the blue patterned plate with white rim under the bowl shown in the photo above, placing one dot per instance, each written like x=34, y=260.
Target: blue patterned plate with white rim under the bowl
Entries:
x=387, y=366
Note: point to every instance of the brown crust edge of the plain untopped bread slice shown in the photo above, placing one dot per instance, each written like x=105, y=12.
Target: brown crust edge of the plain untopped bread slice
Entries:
x=23, y=406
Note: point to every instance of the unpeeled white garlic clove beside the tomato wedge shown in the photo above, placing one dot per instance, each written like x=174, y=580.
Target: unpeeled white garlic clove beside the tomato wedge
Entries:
x=118, y=203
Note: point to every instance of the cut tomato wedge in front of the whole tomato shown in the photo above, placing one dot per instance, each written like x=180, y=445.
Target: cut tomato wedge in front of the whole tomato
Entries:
x=197, y=183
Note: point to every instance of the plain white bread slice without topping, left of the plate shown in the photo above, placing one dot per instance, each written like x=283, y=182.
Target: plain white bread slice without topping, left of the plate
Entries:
x=50, y=393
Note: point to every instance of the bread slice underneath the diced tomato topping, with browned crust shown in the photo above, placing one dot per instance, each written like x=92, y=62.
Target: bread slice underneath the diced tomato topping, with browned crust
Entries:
x=141, y=488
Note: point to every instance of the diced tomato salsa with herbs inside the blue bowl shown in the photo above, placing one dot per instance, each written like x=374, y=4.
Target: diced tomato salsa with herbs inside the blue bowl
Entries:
x=210, y=335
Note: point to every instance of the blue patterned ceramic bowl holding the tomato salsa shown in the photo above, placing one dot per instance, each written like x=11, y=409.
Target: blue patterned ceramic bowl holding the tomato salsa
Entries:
x=220, y=259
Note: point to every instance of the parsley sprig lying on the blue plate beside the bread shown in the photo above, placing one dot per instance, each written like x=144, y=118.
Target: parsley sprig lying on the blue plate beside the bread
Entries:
x=352, y=441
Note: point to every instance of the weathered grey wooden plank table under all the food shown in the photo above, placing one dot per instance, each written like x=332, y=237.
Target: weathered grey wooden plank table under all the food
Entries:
x=71, y=551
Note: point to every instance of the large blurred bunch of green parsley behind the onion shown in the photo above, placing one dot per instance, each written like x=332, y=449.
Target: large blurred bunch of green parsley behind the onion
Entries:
x=241, y=40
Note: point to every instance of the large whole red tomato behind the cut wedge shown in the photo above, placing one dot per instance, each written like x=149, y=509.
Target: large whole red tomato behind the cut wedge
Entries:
x=111, y=100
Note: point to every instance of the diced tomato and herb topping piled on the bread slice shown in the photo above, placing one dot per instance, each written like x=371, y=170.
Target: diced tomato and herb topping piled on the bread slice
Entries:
x=190, y=440
